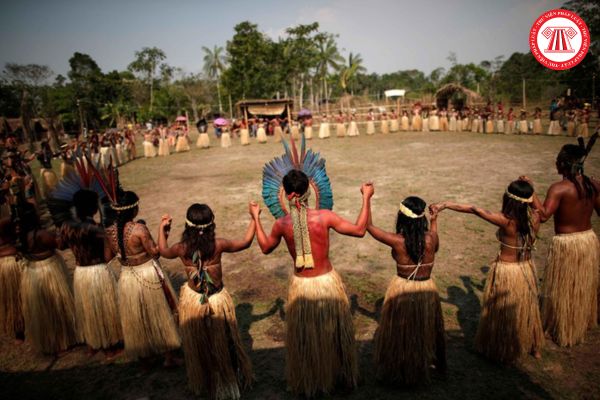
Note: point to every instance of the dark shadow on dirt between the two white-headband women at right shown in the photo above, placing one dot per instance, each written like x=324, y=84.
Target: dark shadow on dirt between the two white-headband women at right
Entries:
x=467, y=302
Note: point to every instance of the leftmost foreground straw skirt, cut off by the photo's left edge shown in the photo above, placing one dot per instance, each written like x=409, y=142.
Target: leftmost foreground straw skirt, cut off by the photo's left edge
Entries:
x=11, y=314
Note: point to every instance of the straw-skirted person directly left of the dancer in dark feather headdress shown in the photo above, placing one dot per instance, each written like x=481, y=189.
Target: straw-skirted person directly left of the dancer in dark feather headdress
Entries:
x=47, y=302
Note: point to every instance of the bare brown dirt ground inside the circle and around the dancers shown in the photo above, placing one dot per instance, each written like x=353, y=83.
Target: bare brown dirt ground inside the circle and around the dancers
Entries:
x=463, y=167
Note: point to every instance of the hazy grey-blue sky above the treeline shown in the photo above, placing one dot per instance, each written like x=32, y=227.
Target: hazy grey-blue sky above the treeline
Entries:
x=390, y=35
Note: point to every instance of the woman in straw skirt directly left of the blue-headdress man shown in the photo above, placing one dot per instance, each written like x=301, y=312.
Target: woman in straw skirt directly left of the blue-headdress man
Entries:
x=215, y=358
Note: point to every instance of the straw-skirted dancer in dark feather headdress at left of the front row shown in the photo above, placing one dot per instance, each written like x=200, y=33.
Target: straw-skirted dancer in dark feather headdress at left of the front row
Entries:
x=94, y=285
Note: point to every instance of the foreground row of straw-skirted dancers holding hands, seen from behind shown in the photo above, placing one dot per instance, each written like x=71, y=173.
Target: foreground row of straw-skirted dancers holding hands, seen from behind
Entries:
x=140, y=309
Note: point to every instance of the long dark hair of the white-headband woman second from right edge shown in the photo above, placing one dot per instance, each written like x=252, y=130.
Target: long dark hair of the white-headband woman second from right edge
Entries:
x=519, y=212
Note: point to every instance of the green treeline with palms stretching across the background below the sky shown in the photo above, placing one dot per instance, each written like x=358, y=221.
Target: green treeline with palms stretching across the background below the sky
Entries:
x=306, y=65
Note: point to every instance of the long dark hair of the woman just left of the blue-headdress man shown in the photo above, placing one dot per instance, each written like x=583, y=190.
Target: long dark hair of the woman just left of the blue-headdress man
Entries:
x=199, y=239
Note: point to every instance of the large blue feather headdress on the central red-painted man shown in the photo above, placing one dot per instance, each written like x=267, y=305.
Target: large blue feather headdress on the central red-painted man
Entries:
x=307, y=161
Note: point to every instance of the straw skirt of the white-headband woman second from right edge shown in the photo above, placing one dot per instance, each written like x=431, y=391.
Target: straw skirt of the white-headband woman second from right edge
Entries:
x=510, y=323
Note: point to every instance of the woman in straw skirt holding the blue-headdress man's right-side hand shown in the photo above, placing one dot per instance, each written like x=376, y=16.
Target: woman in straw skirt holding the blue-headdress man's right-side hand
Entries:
x=410, y=337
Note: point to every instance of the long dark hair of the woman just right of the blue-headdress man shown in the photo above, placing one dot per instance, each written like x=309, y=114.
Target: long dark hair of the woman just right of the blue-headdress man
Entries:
x=413, y=229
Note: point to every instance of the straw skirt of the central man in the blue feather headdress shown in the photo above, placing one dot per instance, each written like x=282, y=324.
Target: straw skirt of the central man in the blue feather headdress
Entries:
x=321, y=351
